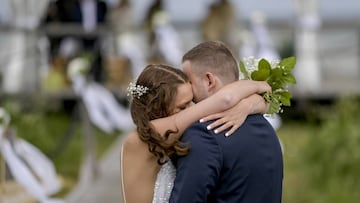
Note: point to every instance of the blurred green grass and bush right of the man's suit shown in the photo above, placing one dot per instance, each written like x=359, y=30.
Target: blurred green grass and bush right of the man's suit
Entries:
x=322, y=159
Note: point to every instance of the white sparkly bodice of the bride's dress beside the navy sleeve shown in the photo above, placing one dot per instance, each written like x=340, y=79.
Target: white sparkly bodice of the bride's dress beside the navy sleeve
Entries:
x=164, y=183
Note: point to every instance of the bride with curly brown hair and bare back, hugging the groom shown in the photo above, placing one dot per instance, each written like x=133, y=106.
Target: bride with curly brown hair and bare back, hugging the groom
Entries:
x=162, y=109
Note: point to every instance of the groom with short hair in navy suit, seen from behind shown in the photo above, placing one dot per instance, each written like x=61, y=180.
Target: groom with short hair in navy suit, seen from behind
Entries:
x=245, y=167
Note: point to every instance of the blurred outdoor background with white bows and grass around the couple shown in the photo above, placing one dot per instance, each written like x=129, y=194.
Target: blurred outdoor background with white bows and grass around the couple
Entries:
x=65, y=66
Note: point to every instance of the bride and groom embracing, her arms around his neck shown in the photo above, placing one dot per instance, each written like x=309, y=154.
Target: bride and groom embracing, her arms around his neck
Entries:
x=200, y=134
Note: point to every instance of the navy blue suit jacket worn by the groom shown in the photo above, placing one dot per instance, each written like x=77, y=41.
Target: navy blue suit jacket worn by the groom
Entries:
x=245, y=167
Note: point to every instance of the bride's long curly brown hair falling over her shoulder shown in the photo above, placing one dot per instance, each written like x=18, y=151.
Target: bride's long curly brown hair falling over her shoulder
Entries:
x=162, y=82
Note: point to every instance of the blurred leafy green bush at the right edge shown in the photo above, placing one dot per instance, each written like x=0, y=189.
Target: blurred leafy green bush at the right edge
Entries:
x=331, y=157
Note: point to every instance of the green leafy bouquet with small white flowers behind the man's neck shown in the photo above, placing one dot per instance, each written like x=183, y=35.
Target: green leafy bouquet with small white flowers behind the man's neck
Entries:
x=277, y=75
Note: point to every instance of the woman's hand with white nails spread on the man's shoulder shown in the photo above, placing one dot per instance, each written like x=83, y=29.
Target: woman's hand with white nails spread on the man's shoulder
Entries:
x=234, y=117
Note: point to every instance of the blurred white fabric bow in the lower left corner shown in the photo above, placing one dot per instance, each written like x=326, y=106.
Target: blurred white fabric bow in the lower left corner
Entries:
x=46, y=182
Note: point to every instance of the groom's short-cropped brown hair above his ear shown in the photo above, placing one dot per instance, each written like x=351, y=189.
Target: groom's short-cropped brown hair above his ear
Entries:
x=216, y=57
